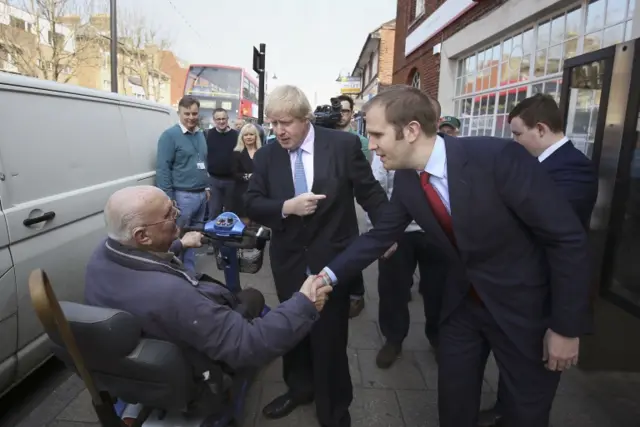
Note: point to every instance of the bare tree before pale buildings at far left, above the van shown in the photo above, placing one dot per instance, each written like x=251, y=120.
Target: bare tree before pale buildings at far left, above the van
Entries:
x=40, y=37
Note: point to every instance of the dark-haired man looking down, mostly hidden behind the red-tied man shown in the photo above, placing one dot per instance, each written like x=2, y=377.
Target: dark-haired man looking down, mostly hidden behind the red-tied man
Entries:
x=537, y=124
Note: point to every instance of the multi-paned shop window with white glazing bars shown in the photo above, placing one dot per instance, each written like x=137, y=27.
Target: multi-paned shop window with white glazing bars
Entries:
x=491, y=81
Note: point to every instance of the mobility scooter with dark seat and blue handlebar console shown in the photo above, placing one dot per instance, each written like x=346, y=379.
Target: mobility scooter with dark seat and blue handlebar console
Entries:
x=144, y=382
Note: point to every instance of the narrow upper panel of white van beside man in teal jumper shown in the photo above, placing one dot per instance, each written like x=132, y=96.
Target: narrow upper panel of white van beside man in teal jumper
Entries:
x=144, y=128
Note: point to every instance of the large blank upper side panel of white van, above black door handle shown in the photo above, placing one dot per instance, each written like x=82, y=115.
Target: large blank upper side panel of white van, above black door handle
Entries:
x=75, y=143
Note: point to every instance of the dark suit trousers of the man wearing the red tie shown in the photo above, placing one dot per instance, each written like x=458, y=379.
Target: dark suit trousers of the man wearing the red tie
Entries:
x=466, y=338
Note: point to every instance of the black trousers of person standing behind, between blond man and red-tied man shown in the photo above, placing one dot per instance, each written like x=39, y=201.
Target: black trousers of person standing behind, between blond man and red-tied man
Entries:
x=395, y=279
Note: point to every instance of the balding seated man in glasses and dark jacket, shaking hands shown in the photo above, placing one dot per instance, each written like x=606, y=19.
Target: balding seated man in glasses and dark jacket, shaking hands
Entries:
x=138, y=270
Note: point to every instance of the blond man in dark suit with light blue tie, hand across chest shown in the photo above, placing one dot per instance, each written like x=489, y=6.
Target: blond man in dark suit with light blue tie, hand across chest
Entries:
x=303, y=189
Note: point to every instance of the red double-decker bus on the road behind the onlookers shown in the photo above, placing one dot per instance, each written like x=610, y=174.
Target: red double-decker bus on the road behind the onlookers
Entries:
x=222, y=86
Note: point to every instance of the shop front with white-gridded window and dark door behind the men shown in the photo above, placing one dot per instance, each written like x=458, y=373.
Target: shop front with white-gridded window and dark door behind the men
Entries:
x=581, y=53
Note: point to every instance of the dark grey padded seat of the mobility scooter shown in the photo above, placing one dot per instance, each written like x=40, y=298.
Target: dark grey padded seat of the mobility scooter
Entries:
x=150, y=372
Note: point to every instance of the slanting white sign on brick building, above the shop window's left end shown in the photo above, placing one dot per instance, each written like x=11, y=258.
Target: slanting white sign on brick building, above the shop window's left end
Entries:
x=436, y=22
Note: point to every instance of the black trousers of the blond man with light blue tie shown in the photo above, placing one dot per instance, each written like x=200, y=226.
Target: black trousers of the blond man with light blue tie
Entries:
x=318, y=366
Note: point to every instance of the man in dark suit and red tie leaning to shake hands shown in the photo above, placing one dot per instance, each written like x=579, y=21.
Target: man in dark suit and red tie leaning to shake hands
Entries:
x=517, y=281
